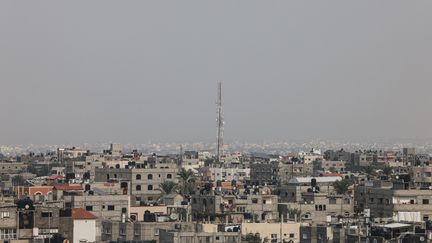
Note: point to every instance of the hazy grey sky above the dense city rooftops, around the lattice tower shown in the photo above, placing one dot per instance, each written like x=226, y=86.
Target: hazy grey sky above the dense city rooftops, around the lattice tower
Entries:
x=139, y=71
